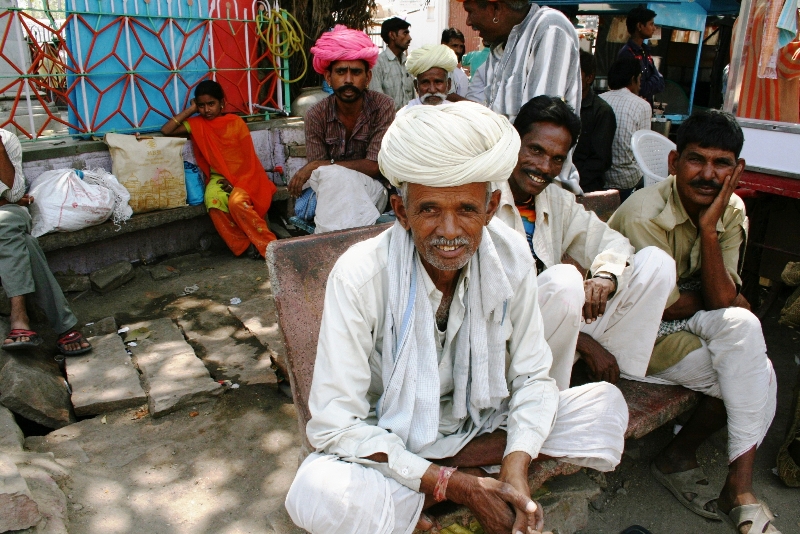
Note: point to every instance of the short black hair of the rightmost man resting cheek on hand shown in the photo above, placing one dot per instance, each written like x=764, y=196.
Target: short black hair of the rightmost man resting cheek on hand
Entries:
x=711, y=129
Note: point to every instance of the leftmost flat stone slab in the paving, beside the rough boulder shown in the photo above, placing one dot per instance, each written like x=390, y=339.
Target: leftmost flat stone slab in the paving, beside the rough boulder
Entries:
x=104, y=379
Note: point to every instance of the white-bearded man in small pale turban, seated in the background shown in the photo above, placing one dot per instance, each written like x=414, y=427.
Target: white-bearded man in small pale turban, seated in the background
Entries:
x=432, y=67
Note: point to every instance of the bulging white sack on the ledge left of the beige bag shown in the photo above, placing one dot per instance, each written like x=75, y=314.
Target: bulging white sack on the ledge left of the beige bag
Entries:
x=63, y=202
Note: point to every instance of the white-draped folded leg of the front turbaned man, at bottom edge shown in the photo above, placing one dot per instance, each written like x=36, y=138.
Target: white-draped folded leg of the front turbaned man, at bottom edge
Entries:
x=331, y=496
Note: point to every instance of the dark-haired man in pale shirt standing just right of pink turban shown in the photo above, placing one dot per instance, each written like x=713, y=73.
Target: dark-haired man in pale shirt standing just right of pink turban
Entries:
x=389, y=76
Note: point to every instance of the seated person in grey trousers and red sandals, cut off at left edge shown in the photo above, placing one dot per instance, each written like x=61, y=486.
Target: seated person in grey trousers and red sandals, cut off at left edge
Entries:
x=23, y=266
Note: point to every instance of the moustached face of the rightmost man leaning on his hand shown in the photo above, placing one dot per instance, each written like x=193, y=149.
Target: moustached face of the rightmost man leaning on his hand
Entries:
x=699, y=174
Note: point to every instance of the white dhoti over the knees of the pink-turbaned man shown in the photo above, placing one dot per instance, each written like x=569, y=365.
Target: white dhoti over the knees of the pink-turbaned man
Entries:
x=345, y=198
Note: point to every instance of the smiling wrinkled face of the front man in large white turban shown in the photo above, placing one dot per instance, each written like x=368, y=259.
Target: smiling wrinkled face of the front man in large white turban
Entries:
x=446, y=223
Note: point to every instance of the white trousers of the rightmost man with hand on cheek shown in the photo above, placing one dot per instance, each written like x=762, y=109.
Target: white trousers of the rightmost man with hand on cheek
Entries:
x=732, y=365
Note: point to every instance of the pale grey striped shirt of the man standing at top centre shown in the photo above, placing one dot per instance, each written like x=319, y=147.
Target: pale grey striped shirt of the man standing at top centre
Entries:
x=540, y=57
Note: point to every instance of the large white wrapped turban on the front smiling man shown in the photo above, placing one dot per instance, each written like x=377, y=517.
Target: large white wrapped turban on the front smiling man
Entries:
x=448, y=145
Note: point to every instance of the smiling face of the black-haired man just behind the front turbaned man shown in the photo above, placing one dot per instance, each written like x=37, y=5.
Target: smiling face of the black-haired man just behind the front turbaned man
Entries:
x=542, y=155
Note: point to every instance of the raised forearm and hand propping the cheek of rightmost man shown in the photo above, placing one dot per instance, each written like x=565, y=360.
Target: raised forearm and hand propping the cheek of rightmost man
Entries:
x=718, y=288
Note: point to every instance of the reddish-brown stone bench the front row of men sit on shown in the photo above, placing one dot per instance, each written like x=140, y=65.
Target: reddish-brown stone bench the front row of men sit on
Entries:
x=298, y=272
